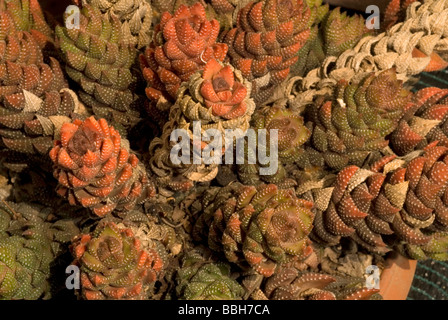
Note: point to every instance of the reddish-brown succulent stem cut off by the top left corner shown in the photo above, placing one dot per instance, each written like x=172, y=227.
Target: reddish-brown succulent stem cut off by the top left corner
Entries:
x=27, y=16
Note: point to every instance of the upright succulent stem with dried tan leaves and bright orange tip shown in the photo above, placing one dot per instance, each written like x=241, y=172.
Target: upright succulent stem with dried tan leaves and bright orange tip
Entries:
x=218, y=98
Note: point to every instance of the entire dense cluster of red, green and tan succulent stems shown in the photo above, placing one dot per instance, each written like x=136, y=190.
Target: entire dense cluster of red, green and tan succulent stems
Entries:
x=89, y=115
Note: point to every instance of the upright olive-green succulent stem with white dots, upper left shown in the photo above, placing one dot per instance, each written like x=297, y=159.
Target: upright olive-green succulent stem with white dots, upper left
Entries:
x=99, y=60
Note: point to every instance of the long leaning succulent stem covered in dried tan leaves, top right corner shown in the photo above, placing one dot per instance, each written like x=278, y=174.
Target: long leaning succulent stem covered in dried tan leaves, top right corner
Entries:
x=382, y=51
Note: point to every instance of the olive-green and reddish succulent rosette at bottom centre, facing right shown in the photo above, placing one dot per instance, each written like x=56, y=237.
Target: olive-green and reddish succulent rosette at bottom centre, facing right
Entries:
x=262, y=227
